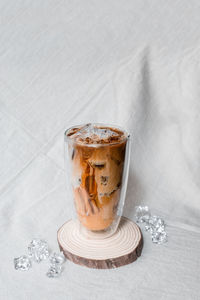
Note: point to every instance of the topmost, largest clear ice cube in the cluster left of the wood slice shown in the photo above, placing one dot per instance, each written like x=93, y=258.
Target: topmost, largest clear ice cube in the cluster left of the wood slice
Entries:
x=38, y=250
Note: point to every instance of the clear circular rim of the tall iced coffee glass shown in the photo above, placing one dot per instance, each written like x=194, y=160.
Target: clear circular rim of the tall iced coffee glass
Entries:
x=126, y=135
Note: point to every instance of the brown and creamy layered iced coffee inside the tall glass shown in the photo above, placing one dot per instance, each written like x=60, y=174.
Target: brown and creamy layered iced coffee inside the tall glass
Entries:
x=97, y=173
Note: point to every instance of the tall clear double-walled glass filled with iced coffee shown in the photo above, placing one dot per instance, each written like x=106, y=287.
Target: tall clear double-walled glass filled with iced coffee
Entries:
x=97, y=161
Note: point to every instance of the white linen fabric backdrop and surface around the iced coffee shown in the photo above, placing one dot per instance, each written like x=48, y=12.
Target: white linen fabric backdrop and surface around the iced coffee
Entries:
x=130, y=63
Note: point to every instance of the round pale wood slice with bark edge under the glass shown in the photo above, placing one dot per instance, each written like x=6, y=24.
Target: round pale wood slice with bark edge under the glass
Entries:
x=122, y=248
